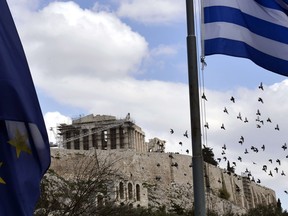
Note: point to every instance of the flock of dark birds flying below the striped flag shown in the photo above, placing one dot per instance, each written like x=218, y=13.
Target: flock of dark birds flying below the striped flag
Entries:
x=272, y=167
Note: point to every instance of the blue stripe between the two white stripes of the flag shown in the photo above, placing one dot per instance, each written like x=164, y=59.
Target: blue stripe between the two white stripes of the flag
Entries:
x=255, y=25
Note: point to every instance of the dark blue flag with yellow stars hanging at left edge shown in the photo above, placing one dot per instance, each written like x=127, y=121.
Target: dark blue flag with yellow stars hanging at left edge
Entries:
x=24, y=146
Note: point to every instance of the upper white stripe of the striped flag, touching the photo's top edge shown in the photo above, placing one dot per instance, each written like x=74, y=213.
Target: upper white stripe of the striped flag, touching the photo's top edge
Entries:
x=252, y=8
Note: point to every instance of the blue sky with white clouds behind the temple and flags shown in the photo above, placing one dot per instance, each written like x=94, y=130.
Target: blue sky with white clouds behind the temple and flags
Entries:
x=115, y=57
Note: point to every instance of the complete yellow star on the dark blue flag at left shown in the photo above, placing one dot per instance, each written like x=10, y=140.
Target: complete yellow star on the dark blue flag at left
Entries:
x=20, y=143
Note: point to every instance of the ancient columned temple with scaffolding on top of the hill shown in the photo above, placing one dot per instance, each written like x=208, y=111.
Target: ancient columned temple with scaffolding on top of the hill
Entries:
x=103, y=132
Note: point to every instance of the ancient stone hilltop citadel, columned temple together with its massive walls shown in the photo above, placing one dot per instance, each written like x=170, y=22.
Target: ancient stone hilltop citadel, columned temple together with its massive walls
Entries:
x=151, y=177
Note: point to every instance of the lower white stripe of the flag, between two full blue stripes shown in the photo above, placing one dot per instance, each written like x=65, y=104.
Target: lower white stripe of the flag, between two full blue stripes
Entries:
x=239, y=33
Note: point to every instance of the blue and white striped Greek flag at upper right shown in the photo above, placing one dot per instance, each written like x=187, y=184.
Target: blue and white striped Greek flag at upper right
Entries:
x=253, y=29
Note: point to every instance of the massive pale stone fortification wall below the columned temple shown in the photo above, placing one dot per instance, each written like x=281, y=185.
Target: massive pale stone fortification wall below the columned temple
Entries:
x=166, y=180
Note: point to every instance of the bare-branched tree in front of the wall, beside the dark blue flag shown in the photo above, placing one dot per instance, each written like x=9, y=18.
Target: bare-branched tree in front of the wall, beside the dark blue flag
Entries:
x=84, y=192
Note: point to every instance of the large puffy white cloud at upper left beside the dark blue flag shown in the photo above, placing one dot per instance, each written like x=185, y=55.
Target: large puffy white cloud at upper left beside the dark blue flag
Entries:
x=62, y=40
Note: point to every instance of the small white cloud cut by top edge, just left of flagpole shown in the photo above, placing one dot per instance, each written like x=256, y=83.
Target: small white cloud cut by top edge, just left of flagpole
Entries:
x=153, y=11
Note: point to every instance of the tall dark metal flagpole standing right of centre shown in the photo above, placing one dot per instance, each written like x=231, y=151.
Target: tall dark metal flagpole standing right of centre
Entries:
x=197, y=159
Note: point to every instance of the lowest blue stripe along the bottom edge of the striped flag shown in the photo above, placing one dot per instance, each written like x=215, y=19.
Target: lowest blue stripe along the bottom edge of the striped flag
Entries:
x=240, y=49
